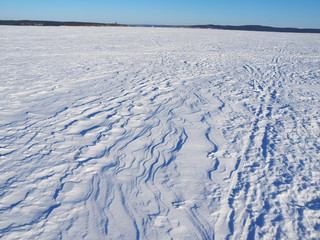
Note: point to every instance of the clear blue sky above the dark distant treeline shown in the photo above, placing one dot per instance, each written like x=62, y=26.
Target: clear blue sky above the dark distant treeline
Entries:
x=278, y=13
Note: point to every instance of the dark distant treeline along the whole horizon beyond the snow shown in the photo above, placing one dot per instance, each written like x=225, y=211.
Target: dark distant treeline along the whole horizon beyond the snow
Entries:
x=210, y=26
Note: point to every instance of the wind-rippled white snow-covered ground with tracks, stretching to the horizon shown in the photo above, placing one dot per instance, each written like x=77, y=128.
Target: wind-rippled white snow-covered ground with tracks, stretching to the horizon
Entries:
x=155, y=133
